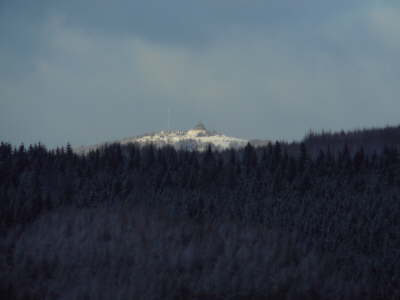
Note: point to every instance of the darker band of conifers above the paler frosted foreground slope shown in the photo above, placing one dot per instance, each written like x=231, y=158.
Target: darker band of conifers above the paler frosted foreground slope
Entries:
x=338, y=192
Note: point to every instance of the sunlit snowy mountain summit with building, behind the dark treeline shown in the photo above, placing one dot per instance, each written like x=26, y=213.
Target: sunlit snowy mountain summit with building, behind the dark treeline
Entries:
x=197, y=138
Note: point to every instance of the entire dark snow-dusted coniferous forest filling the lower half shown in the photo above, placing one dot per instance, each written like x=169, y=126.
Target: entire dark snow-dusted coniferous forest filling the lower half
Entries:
x=317, y=219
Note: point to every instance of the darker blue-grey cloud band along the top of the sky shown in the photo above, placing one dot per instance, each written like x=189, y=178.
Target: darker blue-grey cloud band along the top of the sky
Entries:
x=172, y=21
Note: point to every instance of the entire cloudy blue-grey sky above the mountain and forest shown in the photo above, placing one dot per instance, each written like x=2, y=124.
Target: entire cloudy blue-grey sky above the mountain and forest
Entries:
x=85, y=72
